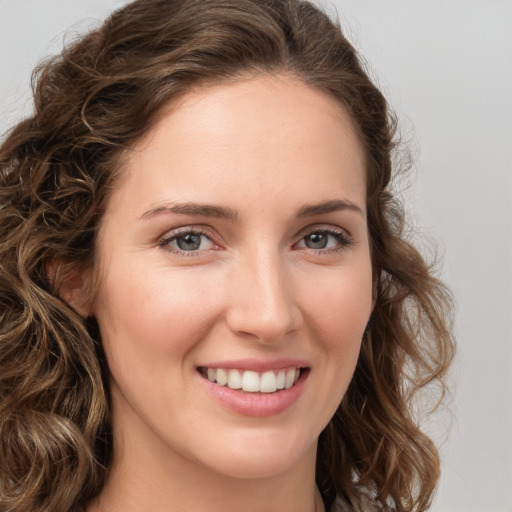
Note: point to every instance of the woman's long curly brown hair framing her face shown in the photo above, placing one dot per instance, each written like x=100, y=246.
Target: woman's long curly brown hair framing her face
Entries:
x=56, y=170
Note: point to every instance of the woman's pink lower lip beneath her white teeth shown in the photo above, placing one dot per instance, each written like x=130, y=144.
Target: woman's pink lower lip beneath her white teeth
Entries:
x=256, y=404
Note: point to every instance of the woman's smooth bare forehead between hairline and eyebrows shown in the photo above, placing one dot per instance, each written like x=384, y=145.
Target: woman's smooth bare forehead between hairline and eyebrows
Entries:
x=256, y=131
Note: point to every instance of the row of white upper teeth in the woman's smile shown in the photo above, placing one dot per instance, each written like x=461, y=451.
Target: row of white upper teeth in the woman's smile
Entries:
x=253, y=382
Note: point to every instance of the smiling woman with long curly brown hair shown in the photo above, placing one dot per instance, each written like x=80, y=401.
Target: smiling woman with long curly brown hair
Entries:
x=207, y=299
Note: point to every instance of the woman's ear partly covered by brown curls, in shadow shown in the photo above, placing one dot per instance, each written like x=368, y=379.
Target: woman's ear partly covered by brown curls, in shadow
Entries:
x=72, y=283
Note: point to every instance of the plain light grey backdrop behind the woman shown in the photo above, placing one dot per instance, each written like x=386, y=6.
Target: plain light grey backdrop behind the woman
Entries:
x=446, y=68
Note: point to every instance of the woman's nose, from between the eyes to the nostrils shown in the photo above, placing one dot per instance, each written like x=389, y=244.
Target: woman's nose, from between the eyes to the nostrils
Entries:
x=262, y=302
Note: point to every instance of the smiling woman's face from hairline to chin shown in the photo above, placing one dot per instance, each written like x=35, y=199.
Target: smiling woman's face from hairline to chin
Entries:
x=235, y=248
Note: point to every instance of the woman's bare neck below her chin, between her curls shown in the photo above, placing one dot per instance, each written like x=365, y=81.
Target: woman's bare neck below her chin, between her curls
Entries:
x=172, y=483
